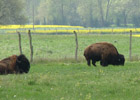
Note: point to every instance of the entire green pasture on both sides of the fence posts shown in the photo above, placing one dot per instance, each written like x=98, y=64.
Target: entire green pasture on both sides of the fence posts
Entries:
x=55, y=75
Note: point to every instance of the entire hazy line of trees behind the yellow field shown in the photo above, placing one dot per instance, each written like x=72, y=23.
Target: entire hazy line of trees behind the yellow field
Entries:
x=87, y=13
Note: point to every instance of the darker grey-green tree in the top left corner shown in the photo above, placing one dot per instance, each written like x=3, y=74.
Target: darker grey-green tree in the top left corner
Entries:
x=11, y=12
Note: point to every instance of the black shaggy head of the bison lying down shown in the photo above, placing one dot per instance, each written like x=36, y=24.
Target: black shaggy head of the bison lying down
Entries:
x=22, y=64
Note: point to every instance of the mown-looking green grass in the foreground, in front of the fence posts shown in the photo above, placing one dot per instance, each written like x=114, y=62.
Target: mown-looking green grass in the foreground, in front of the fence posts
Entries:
x=73, y=81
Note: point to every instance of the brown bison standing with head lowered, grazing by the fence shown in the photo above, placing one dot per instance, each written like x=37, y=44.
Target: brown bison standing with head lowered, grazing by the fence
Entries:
x=104, y=52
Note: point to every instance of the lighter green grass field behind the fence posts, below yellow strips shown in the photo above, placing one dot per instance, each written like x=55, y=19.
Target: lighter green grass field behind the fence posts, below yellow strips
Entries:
x=63, y=46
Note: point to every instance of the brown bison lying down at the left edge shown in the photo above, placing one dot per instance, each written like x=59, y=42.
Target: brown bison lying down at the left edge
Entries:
x=14, y=64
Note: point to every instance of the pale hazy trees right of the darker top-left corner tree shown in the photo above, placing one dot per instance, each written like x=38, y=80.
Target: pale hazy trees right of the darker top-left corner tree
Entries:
x=89, y=13
